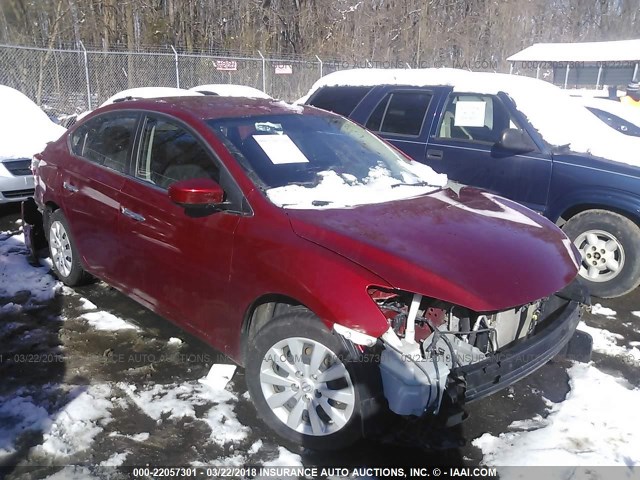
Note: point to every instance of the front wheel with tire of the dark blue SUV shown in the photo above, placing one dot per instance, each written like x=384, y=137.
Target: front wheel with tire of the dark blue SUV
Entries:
x=609, y=244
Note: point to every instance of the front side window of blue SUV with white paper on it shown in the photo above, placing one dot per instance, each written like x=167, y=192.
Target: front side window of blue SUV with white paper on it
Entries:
x=476, y=118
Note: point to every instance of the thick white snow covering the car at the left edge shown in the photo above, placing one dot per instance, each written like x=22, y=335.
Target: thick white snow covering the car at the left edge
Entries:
x=26, y=129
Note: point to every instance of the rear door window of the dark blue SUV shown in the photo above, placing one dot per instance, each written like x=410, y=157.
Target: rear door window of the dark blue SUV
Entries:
x=400, y=113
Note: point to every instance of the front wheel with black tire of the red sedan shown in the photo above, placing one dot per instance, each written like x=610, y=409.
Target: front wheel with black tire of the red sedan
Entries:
x=274, y=379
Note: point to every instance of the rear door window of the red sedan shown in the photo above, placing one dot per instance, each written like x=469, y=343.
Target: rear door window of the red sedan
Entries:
x=106, y=140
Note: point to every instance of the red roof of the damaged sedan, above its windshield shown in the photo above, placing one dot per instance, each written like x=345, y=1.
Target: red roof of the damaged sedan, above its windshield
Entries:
x=210, y=107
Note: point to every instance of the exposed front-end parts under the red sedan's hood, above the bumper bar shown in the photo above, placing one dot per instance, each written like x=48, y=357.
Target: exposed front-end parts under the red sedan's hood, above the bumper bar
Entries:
x=428, y=338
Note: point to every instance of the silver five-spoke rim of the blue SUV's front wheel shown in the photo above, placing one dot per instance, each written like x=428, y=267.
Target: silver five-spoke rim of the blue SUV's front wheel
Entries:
x=602, y=255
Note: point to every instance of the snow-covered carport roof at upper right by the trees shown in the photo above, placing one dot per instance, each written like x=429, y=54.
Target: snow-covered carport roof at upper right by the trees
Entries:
x=622, y=50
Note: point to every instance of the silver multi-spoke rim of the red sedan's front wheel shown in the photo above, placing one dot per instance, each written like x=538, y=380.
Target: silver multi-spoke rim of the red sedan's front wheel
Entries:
x=307, y=387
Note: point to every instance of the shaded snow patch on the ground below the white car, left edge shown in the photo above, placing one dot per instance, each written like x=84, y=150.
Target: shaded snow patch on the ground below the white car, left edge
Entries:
x=18, y=278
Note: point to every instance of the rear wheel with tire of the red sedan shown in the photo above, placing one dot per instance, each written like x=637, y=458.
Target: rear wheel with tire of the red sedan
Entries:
x=63, y=252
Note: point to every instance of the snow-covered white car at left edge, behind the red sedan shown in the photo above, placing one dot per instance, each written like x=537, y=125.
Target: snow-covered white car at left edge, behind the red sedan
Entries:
x=26, y=130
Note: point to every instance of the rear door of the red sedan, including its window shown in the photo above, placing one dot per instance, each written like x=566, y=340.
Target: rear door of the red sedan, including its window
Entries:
x=91, y=179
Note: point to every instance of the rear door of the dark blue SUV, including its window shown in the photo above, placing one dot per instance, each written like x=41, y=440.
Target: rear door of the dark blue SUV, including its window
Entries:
x=401, y=115
